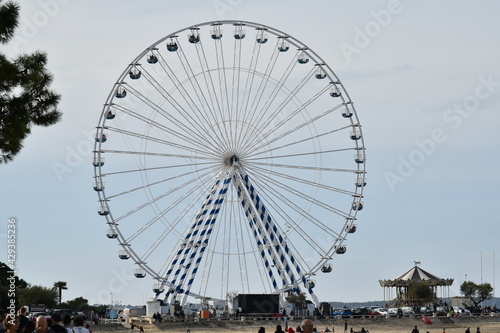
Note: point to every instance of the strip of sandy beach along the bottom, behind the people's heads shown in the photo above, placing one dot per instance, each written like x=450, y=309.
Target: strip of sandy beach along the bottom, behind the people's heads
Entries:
x=373, y=325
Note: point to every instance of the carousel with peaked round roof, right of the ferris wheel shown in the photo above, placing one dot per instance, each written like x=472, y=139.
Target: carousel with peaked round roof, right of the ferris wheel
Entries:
x=404, y=284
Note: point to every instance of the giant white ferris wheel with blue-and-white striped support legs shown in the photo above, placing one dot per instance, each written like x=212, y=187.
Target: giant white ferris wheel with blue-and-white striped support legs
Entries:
x=229, y=157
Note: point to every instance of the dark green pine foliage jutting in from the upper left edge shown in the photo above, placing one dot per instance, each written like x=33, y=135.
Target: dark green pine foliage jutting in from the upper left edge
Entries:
x=25, y=96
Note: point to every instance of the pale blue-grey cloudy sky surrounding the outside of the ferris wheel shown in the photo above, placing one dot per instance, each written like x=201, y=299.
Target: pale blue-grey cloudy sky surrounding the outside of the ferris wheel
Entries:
x=425, y=80
